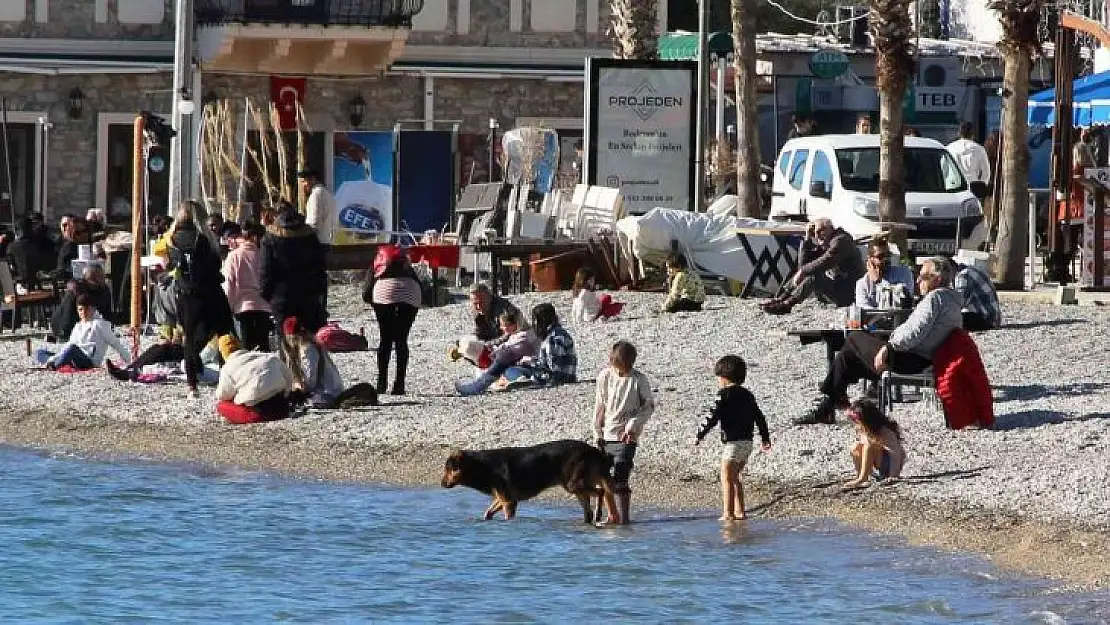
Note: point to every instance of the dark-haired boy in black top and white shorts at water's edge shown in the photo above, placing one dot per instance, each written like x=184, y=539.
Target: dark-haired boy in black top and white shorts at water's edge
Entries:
x=739, y=415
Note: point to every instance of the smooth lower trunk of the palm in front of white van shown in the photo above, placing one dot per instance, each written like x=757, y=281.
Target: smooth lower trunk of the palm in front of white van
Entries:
x=892, y=166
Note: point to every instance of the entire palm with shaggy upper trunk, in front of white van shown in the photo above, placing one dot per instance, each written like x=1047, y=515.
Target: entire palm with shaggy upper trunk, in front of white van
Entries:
x=892, y=33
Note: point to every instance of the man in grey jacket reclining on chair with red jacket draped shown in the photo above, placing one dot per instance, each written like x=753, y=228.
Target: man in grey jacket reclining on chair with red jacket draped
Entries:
x=909, y=351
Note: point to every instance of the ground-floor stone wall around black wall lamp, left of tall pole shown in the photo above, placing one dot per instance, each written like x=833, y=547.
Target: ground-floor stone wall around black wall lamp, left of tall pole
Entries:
x=73, y=143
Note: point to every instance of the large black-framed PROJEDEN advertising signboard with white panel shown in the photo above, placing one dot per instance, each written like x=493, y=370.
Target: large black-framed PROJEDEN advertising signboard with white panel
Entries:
x=641, y=132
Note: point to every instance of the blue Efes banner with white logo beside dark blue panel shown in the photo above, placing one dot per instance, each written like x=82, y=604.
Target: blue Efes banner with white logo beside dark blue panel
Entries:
x=364, y=187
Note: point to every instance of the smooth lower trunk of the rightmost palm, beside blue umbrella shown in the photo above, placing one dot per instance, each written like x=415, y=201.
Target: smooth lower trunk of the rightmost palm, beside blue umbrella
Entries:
x=1014, y=204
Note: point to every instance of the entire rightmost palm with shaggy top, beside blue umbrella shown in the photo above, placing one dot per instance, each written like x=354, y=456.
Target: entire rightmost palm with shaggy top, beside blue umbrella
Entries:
x=1020, y=45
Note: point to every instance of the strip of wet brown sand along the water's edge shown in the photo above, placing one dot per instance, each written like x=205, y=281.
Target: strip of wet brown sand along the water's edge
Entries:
x=1067, y=553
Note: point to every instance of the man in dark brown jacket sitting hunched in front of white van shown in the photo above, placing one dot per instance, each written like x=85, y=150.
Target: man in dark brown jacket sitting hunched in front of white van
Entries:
x=829, y=267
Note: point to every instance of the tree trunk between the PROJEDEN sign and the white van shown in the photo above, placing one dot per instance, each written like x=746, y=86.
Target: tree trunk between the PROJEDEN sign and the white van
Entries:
x=748, y=127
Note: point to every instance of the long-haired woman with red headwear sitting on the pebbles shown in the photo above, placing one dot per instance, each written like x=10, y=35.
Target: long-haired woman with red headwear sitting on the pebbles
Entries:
x=317, y=380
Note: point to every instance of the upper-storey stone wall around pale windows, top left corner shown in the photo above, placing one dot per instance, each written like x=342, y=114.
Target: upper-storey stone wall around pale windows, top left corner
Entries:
x=80, y=19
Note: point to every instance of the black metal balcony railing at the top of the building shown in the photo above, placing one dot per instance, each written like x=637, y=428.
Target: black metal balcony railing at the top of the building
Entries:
x=391, y=14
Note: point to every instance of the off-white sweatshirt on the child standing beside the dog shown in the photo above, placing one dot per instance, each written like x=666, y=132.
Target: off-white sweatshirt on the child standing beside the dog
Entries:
x=623, y=405
